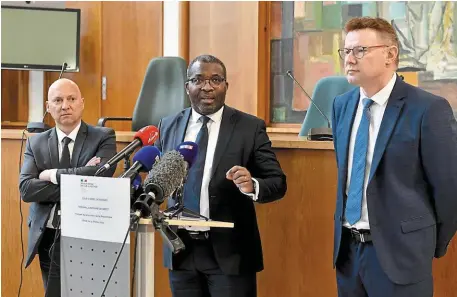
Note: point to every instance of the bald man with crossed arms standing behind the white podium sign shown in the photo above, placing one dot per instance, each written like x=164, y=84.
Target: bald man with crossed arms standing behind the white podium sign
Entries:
x=72, y=147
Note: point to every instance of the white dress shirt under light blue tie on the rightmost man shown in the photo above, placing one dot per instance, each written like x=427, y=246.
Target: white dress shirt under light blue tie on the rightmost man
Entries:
x=377, y=112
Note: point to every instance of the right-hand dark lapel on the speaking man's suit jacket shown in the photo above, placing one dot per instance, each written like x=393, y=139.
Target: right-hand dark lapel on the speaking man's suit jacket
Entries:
x=225, y=134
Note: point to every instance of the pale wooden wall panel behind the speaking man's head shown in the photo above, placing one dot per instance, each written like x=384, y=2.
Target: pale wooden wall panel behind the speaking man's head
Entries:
x=229, y=31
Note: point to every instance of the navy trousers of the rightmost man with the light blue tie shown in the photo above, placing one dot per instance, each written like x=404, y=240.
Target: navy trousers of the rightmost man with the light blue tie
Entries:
x=359, y=274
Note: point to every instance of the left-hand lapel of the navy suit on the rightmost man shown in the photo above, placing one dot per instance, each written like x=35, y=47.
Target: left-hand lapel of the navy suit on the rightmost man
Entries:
x=348, y=120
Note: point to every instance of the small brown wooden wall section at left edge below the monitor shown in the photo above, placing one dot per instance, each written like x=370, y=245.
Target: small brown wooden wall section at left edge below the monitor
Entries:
x=15, y=96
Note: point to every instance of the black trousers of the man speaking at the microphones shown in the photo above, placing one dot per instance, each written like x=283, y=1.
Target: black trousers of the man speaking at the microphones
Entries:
x=197, y=274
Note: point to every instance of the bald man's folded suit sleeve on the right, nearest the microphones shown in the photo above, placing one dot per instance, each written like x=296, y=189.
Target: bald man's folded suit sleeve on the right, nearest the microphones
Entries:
x=106, y=150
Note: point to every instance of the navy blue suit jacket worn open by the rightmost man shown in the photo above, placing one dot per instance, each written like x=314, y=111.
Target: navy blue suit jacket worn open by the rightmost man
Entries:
x=412, y=188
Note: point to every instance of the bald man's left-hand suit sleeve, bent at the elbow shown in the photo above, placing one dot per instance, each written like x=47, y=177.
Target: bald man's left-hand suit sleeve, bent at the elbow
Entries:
x=31, y=187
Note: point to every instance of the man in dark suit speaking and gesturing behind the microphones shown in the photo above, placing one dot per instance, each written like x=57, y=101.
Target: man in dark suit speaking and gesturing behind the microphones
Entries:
x=235, y=167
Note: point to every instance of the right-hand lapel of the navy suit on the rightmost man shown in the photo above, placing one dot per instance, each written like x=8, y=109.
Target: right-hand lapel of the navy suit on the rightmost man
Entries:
x=389, y=120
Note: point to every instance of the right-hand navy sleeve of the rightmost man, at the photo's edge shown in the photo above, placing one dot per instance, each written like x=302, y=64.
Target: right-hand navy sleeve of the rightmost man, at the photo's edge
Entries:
x=439, y=159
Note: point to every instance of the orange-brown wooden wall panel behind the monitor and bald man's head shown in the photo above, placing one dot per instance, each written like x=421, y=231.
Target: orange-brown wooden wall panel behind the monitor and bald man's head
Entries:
x=89, y=76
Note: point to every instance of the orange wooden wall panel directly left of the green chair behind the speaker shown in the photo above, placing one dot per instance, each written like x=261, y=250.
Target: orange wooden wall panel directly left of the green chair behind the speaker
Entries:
x=130, y=40
